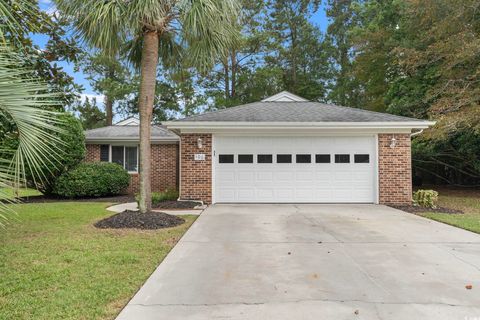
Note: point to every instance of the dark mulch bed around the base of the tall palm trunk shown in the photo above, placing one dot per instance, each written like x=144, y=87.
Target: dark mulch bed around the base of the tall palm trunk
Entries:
x=133, y=219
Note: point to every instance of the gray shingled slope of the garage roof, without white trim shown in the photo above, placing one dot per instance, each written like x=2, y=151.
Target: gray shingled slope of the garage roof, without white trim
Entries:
x=296, y=112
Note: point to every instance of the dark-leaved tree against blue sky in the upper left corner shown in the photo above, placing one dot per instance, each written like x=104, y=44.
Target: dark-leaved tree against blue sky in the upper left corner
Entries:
x=42, y=63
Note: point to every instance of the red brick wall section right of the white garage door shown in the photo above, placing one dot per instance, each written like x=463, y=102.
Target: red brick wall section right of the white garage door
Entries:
x=395, y=169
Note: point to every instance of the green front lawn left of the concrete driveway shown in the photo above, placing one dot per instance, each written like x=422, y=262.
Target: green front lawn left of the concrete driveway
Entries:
x=55, y=265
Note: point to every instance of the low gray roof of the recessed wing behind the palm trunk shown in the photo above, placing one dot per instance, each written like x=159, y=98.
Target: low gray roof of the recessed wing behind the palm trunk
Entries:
x=128, y=133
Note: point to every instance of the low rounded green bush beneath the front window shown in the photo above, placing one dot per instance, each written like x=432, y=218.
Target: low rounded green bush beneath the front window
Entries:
x=95, y=179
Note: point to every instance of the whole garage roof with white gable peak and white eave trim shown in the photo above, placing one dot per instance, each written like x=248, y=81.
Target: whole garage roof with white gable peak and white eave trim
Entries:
x=288, y=110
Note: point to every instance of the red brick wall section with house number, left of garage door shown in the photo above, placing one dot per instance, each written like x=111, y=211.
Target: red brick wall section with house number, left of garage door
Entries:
x=196, y=176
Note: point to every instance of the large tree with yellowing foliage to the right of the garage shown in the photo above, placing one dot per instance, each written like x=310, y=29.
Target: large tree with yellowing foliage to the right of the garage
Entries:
x=418, y=58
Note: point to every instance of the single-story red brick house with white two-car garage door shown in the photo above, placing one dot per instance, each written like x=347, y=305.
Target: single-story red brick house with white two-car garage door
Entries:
x=281, y=149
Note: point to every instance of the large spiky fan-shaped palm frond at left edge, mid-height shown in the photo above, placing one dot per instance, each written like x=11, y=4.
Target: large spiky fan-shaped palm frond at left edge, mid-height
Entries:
x=22, y=100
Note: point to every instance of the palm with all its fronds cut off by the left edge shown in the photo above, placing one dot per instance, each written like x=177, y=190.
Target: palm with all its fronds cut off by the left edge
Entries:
x=23, y=100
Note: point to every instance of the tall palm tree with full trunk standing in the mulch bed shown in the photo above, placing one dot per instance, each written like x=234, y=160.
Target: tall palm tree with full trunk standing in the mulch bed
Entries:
x=203, y=27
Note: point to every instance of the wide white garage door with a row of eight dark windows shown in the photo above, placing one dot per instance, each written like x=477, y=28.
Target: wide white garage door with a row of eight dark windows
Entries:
x=294, y=169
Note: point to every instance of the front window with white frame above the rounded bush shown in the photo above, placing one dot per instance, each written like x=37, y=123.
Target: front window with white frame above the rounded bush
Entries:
x=125, y=156
